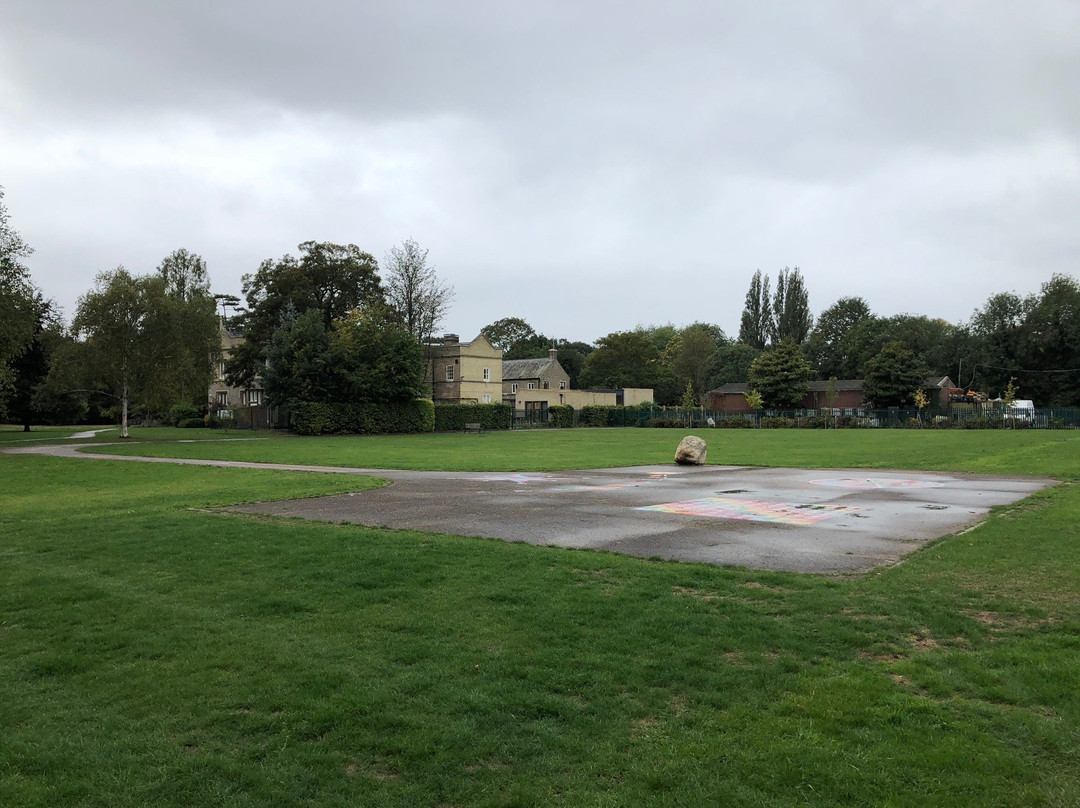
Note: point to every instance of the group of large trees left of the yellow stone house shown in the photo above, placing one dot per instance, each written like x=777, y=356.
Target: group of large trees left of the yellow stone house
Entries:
x=325, y=326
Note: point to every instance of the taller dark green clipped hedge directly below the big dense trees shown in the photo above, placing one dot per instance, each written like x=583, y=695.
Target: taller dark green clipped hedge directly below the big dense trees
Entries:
x=317, y=419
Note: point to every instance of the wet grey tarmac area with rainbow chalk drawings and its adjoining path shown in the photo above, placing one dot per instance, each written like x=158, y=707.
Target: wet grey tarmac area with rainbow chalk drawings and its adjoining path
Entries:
x=825, y=521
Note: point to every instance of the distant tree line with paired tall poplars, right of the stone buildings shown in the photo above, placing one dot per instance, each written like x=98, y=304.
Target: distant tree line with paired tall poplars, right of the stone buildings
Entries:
x=1033, y=343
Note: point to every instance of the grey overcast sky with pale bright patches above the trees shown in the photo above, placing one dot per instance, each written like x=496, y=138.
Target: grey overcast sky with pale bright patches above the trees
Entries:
x=587, y=166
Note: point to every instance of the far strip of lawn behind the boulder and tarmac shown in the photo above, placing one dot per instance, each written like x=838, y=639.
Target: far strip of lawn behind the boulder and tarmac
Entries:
x=1002, y=452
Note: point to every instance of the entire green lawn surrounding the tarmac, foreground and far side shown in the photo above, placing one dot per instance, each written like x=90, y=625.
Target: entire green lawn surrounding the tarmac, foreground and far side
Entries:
x=156, y=653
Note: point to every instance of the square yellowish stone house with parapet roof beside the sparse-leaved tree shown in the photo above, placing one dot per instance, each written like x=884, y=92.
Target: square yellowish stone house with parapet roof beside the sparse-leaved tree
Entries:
x=465, y=373
